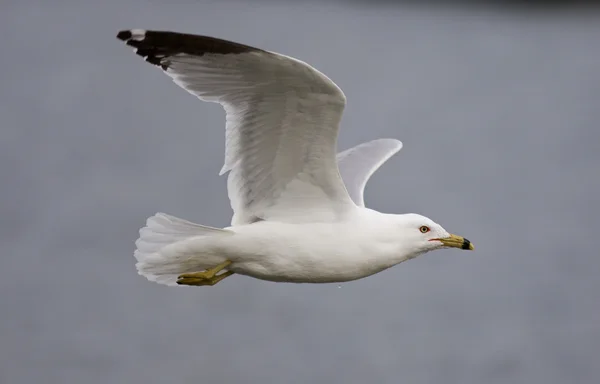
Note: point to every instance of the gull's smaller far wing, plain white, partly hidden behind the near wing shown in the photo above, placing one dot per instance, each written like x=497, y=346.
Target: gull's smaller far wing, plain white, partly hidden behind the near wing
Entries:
x=357, y=164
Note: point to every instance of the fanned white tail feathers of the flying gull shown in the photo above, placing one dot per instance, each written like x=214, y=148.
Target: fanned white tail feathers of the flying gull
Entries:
x=169, y=246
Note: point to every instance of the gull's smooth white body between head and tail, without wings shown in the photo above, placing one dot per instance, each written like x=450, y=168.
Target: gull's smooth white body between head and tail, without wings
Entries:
x=365, y=243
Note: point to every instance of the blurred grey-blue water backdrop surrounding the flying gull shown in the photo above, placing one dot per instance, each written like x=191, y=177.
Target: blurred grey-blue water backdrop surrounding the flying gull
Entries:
x=498, y=107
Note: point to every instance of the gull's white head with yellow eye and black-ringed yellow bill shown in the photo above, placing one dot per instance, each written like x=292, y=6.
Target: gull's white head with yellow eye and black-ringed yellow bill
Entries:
x=421, y=234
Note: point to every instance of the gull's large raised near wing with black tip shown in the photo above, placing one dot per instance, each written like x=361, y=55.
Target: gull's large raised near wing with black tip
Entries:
x=282, y=122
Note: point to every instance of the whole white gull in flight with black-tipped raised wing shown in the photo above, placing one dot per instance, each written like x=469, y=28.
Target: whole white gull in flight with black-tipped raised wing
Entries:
x=298, y=207
